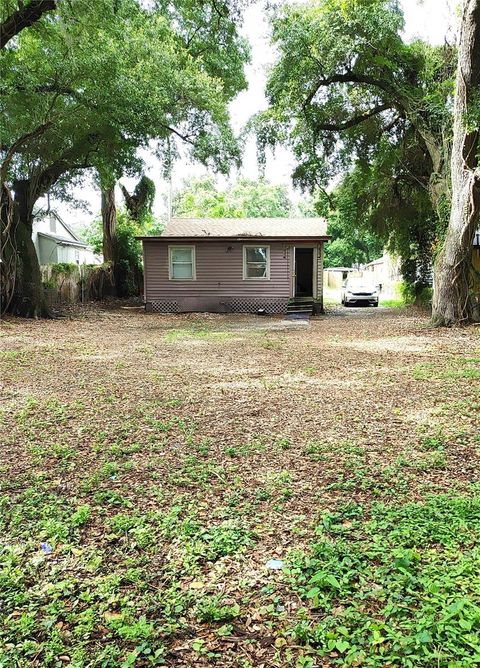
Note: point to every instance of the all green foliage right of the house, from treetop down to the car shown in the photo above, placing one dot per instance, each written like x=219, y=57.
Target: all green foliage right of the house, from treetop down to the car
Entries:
x=351, y=98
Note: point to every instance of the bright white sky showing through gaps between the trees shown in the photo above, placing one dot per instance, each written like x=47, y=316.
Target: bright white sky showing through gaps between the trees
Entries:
x=432, y=20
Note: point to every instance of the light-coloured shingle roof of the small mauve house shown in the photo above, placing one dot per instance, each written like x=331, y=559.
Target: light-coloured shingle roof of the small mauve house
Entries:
x=246, y=227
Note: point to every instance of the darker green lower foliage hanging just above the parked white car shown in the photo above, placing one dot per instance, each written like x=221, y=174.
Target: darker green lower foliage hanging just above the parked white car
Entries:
x=381, y=200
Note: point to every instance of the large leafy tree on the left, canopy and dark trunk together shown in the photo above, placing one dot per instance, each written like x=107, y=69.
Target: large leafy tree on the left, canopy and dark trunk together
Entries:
x=91, y=83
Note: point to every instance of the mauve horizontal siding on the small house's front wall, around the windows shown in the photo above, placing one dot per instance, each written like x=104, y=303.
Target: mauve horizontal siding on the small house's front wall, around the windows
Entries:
x=219, y=272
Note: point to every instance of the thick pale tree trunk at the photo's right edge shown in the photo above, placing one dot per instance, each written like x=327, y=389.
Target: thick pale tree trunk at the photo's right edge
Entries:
x=453, y=301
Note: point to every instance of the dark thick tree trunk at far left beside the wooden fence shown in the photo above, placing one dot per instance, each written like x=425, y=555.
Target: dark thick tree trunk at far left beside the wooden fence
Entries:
x=28, y=299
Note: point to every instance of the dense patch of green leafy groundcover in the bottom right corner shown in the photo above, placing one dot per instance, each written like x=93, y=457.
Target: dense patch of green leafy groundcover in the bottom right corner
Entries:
x=397, y=587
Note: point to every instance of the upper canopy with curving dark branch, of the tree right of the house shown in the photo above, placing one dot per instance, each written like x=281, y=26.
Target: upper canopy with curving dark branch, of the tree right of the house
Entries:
x=344, y=73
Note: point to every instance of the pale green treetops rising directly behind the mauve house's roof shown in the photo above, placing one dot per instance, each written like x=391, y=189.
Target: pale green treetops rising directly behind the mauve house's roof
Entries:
x=200, y=198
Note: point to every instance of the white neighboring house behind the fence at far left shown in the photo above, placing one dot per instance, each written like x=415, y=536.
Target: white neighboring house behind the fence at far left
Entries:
x=56, y=242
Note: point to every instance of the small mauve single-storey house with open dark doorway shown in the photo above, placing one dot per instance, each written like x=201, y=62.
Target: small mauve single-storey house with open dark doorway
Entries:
x=238, y=265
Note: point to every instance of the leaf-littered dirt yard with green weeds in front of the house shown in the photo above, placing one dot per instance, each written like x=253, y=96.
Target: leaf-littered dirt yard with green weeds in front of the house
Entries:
x=209, y=490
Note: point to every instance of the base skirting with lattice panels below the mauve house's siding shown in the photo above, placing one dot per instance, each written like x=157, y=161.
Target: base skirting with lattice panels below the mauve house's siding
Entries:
x=271, y=305
